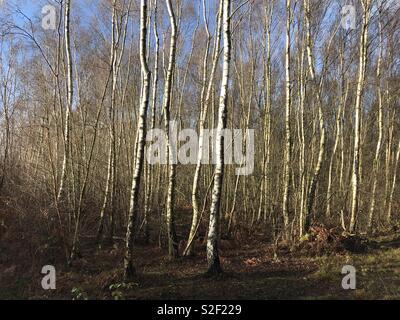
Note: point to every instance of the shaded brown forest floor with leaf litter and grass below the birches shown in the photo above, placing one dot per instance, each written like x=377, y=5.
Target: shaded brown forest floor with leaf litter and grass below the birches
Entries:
x=252, y=271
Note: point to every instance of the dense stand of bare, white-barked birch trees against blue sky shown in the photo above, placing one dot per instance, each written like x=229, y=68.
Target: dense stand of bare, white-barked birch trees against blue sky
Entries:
x=318, y=81
